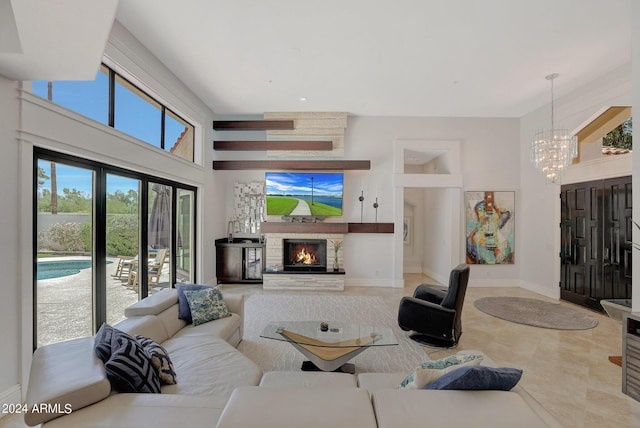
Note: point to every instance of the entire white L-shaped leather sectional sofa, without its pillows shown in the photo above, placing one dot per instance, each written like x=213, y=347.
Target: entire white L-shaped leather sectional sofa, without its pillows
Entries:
x=217, y=386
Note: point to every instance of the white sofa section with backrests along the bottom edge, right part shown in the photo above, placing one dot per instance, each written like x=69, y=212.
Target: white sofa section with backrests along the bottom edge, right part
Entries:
x=318, y=400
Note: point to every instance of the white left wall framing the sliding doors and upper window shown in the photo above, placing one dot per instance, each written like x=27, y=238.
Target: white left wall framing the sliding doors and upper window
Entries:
x=27, y=121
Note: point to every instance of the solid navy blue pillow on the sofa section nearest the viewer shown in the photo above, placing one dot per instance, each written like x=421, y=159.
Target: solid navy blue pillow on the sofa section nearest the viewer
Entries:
x=478, y=378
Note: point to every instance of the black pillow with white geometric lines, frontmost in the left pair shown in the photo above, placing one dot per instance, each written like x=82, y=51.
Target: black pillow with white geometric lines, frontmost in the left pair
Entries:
x=129, y=368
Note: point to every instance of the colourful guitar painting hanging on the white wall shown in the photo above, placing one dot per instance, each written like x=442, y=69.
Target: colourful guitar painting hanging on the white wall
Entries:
x=490, y=228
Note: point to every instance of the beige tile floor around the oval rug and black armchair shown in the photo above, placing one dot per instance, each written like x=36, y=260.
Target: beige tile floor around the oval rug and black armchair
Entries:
x=567, y=371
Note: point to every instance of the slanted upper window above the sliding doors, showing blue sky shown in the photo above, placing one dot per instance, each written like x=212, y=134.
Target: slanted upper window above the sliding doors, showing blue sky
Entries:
x=114, y=101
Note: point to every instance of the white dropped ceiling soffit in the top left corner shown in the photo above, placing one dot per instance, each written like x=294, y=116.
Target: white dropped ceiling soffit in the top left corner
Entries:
x=53, y=39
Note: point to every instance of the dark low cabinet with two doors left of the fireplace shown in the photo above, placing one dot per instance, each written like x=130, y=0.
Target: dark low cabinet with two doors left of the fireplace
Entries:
x=241, y=260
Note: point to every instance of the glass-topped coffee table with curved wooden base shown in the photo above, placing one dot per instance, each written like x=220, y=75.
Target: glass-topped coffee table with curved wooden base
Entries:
x=329, y=347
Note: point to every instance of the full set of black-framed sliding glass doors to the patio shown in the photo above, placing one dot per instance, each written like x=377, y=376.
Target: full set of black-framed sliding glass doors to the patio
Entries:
x=105, y=238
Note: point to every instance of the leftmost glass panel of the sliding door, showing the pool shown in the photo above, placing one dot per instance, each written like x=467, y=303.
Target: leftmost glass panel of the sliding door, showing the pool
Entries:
x=64, y=258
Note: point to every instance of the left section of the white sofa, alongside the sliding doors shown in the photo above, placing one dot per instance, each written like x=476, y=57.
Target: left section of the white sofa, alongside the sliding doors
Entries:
x=208, y=367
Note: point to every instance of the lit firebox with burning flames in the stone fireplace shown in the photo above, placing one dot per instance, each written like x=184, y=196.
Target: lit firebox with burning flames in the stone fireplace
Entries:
x=305, y=255
